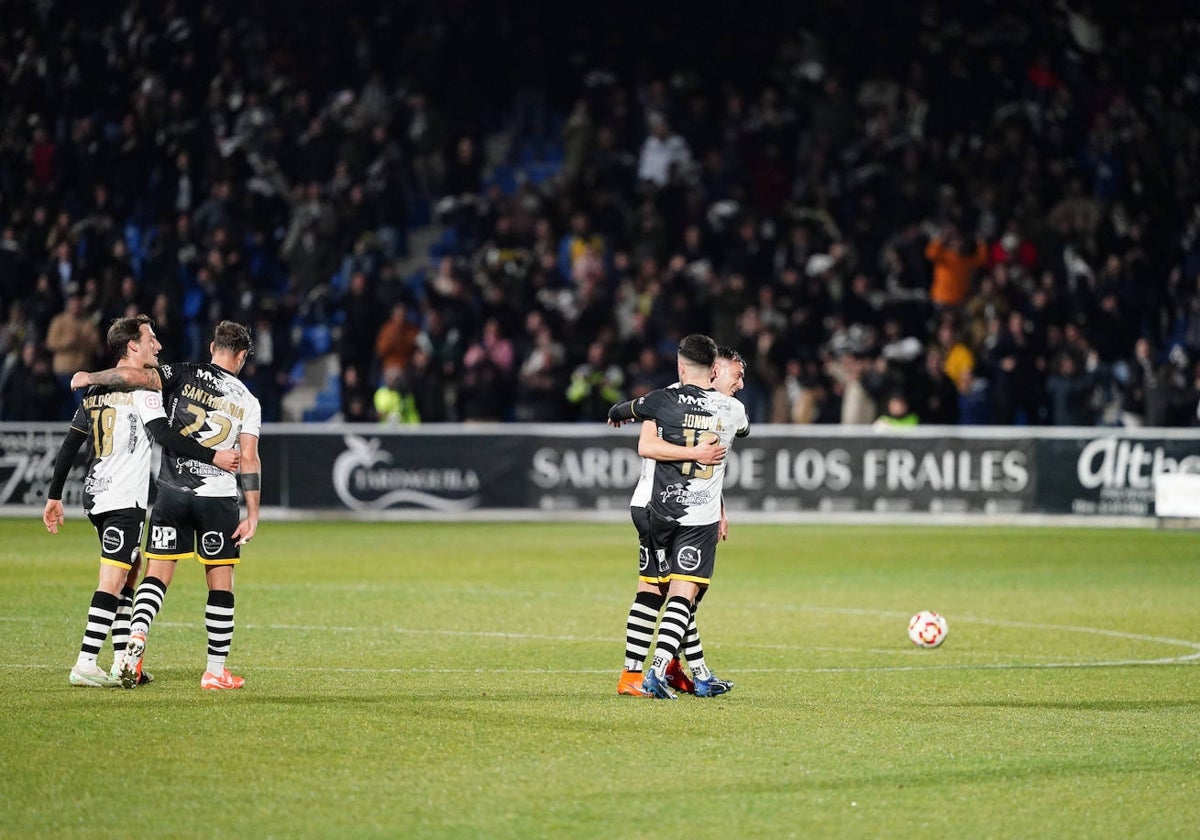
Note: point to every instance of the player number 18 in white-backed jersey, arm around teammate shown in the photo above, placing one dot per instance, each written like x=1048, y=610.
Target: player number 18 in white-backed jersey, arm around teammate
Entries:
x=119, y=428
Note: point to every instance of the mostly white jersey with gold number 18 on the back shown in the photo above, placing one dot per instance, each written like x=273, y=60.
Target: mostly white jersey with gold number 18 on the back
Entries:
x=119, y=448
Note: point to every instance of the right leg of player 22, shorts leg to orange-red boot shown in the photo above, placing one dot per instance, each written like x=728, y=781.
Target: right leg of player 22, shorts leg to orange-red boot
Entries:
x=219, y=554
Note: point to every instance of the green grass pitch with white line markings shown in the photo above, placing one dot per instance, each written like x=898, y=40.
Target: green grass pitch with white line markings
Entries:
x=459, y=681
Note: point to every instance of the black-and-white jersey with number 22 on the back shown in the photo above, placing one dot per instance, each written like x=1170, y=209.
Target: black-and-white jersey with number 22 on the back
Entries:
x=212, y=406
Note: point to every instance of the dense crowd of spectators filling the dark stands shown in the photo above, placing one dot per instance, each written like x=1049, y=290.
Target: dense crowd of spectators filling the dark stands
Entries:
x=898, y=213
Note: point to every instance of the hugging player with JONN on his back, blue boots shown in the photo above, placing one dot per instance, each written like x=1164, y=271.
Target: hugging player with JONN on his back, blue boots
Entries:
x=686, y=501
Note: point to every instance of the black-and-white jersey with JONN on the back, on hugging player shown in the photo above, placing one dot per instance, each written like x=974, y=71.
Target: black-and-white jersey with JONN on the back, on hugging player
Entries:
x=685, y=491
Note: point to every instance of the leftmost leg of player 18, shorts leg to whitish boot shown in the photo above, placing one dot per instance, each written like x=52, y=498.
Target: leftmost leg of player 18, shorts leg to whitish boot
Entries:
x=118, y=541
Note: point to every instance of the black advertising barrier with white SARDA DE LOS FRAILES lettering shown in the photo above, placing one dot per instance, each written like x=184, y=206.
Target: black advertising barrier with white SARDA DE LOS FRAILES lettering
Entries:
x=779, y=473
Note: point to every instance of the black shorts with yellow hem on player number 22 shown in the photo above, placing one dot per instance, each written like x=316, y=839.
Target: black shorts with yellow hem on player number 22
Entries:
x=184, y=526
